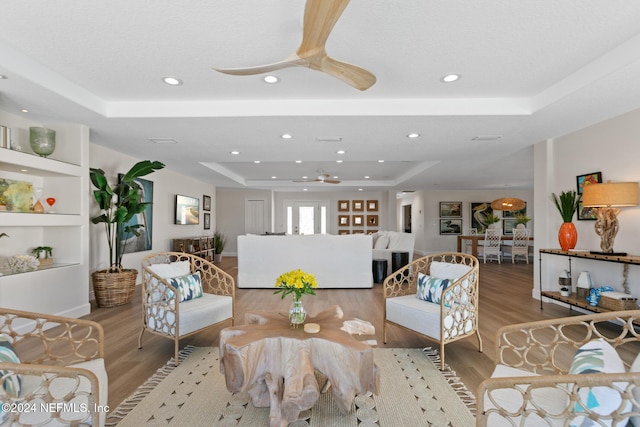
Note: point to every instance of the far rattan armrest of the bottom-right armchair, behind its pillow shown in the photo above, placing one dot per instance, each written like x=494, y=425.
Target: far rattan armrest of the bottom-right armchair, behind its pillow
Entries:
x=548, y=346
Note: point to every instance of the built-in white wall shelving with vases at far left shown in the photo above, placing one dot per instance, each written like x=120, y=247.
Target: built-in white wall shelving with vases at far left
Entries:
x=62, y=288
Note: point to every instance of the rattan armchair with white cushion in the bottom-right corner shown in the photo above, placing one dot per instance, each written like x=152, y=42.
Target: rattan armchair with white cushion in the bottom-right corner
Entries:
x=531, y=385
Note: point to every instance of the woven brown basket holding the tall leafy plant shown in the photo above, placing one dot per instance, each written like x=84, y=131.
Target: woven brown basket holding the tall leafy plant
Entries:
x=114, y=288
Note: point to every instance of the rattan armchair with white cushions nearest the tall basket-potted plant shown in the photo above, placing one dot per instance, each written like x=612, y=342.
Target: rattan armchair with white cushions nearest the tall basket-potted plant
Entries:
x=164, y=315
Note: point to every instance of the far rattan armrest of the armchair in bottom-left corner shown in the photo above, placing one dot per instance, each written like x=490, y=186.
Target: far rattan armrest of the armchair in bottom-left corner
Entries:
x=61, y=340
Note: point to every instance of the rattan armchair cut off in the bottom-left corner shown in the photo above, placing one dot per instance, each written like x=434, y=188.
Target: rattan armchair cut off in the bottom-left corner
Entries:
x=61, y=370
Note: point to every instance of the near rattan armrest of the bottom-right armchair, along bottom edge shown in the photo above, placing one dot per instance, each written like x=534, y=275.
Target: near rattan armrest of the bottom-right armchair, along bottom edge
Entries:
x=530, y=394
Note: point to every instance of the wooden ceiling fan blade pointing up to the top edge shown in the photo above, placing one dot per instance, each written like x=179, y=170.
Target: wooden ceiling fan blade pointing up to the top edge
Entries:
x=320, y=16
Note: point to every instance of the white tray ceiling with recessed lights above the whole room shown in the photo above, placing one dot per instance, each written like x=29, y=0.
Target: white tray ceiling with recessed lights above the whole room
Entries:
x=531, y=70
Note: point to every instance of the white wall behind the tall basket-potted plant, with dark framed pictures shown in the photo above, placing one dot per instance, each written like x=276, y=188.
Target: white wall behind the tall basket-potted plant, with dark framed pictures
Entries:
x=166, y=185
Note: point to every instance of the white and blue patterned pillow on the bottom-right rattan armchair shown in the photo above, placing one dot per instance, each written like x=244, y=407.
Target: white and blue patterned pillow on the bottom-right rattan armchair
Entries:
x=596, y=356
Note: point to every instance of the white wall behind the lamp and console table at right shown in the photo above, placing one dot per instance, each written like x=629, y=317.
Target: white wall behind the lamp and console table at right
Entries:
x=610, y=147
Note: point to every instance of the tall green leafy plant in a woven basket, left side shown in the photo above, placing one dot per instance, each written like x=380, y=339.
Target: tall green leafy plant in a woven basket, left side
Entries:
x=118, y=204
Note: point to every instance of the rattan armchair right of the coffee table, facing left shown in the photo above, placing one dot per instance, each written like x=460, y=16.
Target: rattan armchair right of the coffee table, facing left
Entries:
x=454, y=318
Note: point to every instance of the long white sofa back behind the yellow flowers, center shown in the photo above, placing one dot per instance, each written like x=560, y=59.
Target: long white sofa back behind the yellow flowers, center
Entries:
x=343, y=261
